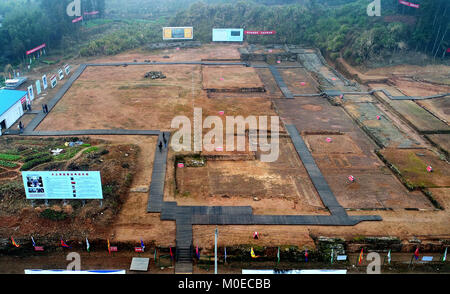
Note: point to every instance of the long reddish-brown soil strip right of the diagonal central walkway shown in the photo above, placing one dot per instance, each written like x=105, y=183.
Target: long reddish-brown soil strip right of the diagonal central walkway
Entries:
x=376, y=187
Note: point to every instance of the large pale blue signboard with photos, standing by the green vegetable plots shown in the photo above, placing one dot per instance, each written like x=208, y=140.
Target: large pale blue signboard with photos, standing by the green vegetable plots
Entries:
x=62, y=185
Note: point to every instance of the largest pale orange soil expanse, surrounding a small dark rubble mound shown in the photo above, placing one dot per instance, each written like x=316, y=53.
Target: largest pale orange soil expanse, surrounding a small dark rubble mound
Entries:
x=120, y=97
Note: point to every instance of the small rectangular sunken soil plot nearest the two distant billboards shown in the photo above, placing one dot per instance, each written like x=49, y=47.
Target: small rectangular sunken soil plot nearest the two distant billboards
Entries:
x=231, y=78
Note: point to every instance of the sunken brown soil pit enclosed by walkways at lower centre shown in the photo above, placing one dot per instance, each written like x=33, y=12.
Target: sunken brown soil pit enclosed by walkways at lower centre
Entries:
x=282, y=187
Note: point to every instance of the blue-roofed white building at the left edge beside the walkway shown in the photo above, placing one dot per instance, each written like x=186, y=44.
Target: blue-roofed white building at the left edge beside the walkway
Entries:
x=12, y=106
